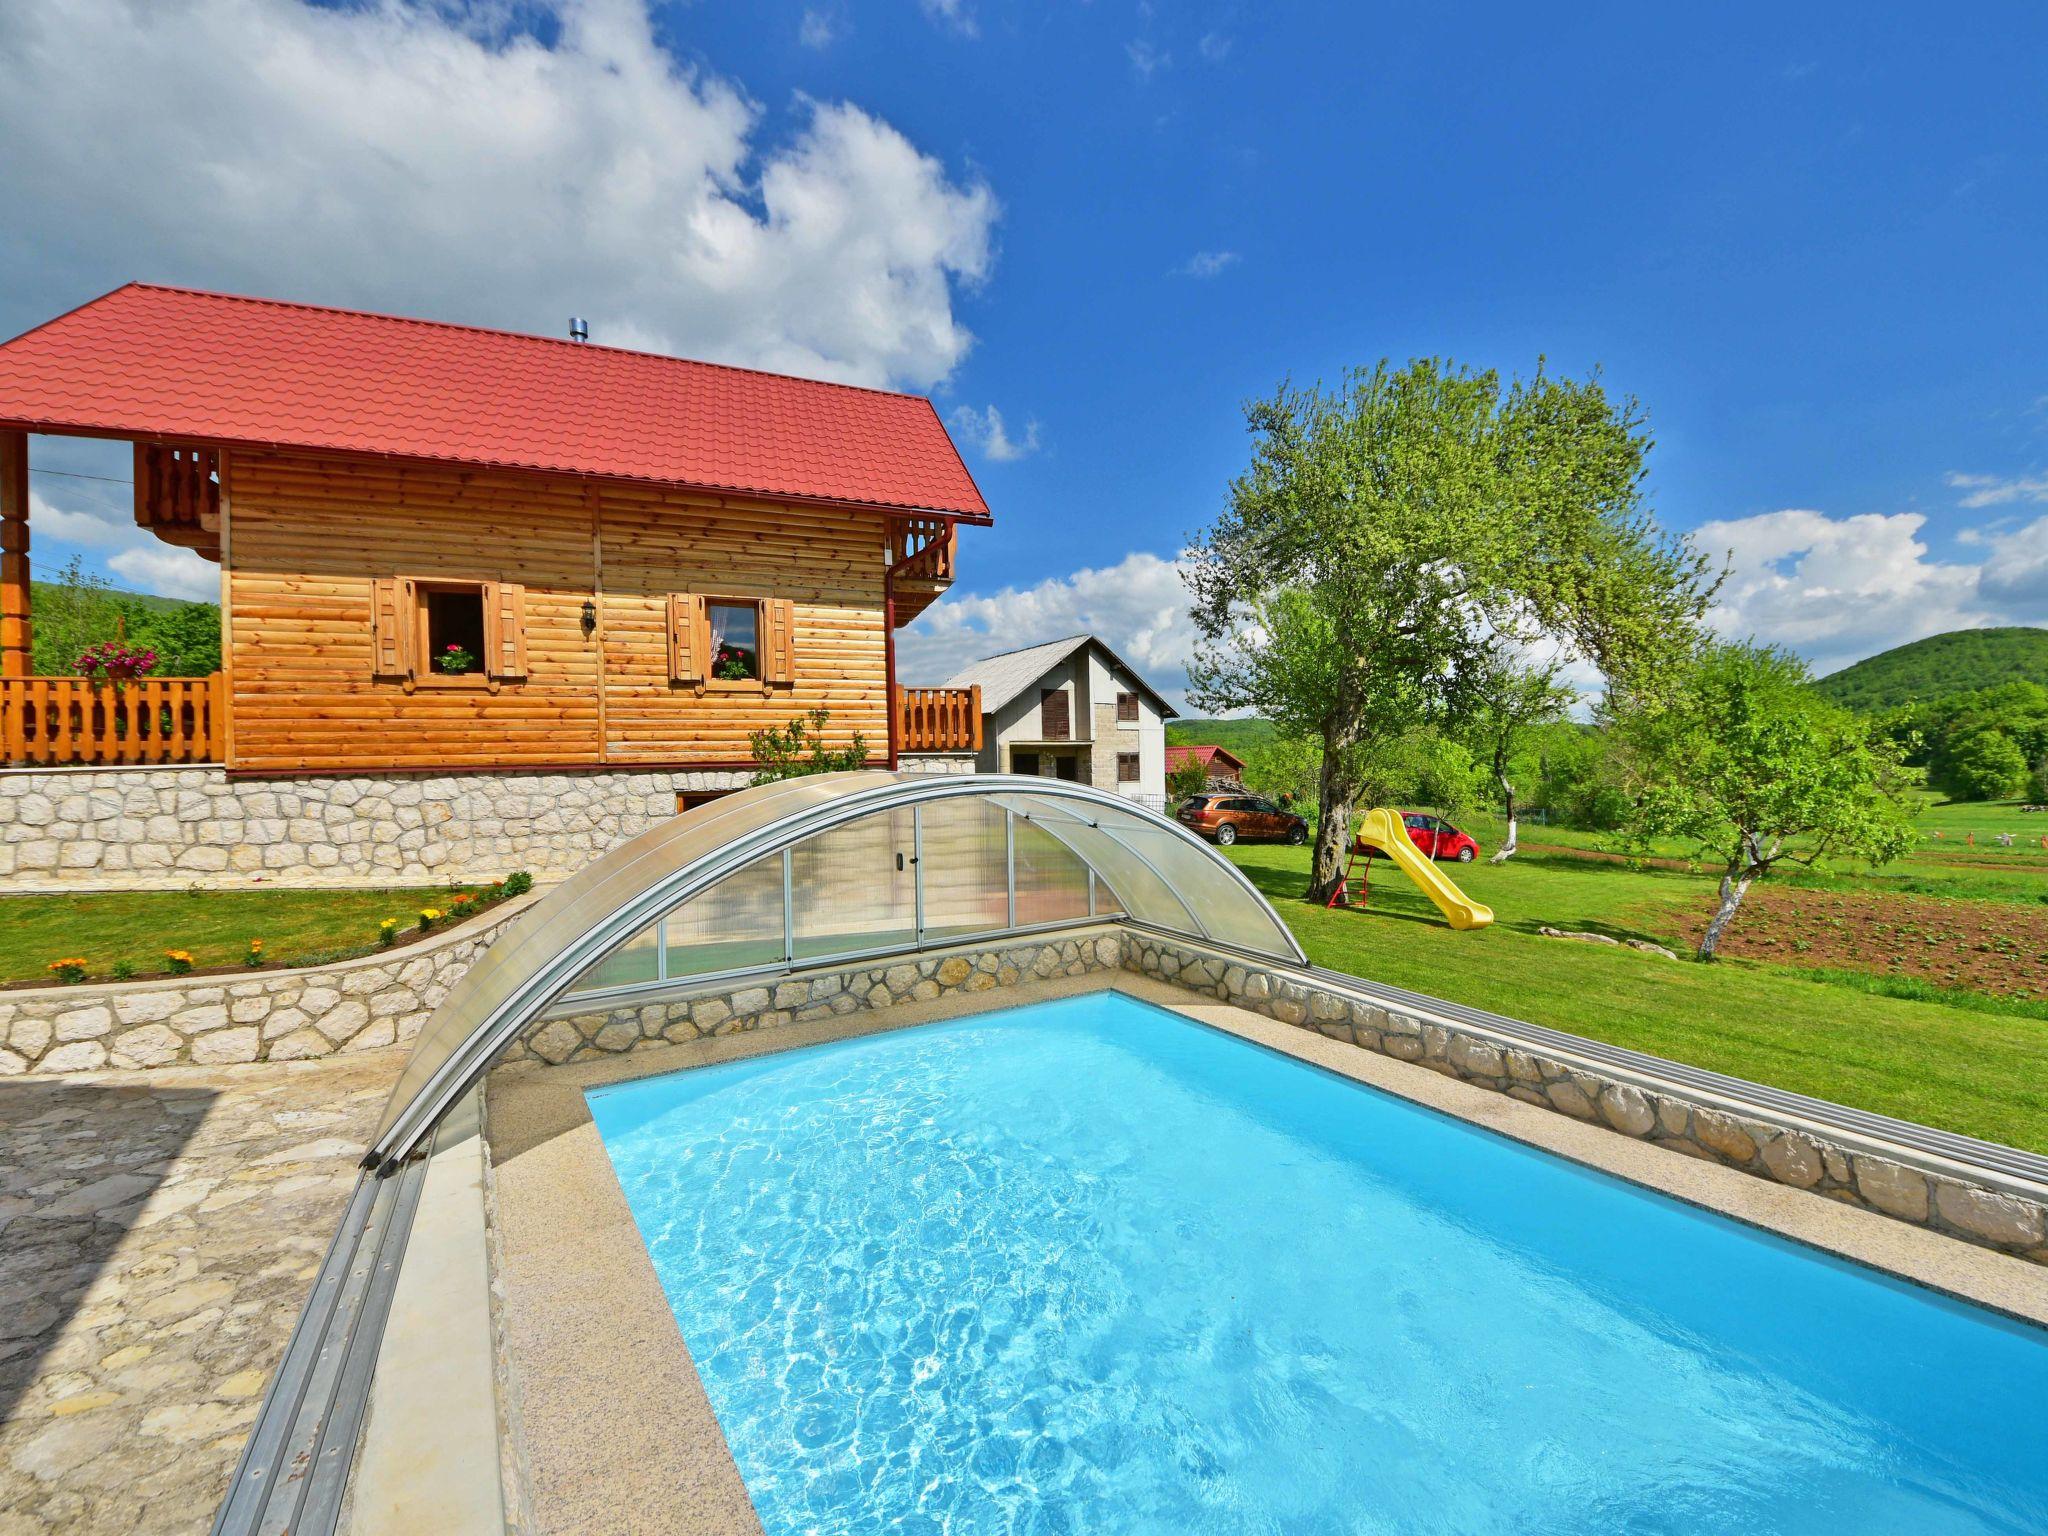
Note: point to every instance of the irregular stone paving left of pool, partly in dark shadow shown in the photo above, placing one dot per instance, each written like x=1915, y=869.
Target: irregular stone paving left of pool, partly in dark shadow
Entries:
x=159, y=1234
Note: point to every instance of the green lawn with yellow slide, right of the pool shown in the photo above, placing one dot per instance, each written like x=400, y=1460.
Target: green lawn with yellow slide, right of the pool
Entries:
x=1977, y=1072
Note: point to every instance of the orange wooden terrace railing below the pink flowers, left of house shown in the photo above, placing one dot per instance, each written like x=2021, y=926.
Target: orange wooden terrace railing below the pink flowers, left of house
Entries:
x=65, y=722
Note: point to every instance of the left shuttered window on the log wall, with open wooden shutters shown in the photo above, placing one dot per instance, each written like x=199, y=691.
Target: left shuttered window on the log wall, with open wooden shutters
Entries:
x=433, y=632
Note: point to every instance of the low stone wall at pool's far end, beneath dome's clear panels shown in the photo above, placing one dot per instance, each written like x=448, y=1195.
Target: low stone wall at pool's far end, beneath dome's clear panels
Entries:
x=767, y=1002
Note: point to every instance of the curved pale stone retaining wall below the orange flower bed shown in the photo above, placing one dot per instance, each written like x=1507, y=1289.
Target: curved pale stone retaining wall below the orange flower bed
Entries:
x=261, y=1017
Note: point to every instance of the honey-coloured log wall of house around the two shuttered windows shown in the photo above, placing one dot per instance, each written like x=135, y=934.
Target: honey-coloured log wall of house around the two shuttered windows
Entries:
x=308, y=536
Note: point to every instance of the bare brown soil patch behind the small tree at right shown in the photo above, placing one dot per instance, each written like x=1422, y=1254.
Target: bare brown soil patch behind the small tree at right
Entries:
x=1996, y=947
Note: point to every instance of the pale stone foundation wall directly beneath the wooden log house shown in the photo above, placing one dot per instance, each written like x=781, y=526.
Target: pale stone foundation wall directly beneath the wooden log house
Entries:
x=169, y=828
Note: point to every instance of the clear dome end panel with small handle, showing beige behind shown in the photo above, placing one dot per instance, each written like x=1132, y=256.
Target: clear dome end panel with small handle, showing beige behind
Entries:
x=855, y=888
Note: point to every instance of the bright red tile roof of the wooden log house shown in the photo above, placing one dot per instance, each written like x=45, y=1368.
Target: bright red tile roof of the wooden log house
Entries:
x=177, y=364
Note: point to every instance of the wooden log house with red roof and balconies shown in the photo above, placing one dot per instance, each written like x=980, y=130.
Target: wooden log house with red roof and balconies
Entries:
x=460, y=550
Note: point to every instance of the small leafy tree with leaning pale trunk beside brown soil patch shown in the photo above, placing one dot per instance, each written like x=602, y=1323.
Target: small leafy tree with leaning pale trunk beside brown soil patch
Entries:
x=1744, y=759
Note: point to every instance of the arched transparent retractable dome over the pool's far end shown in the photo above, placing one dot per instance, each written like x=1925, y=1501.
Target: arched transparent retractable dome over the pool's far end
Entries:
x=820, y=869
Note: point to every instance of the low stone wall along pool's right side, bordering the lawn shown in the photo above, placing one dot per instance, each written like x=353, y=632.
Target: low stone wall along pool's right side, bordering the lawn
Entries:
x=1840, y=1170
